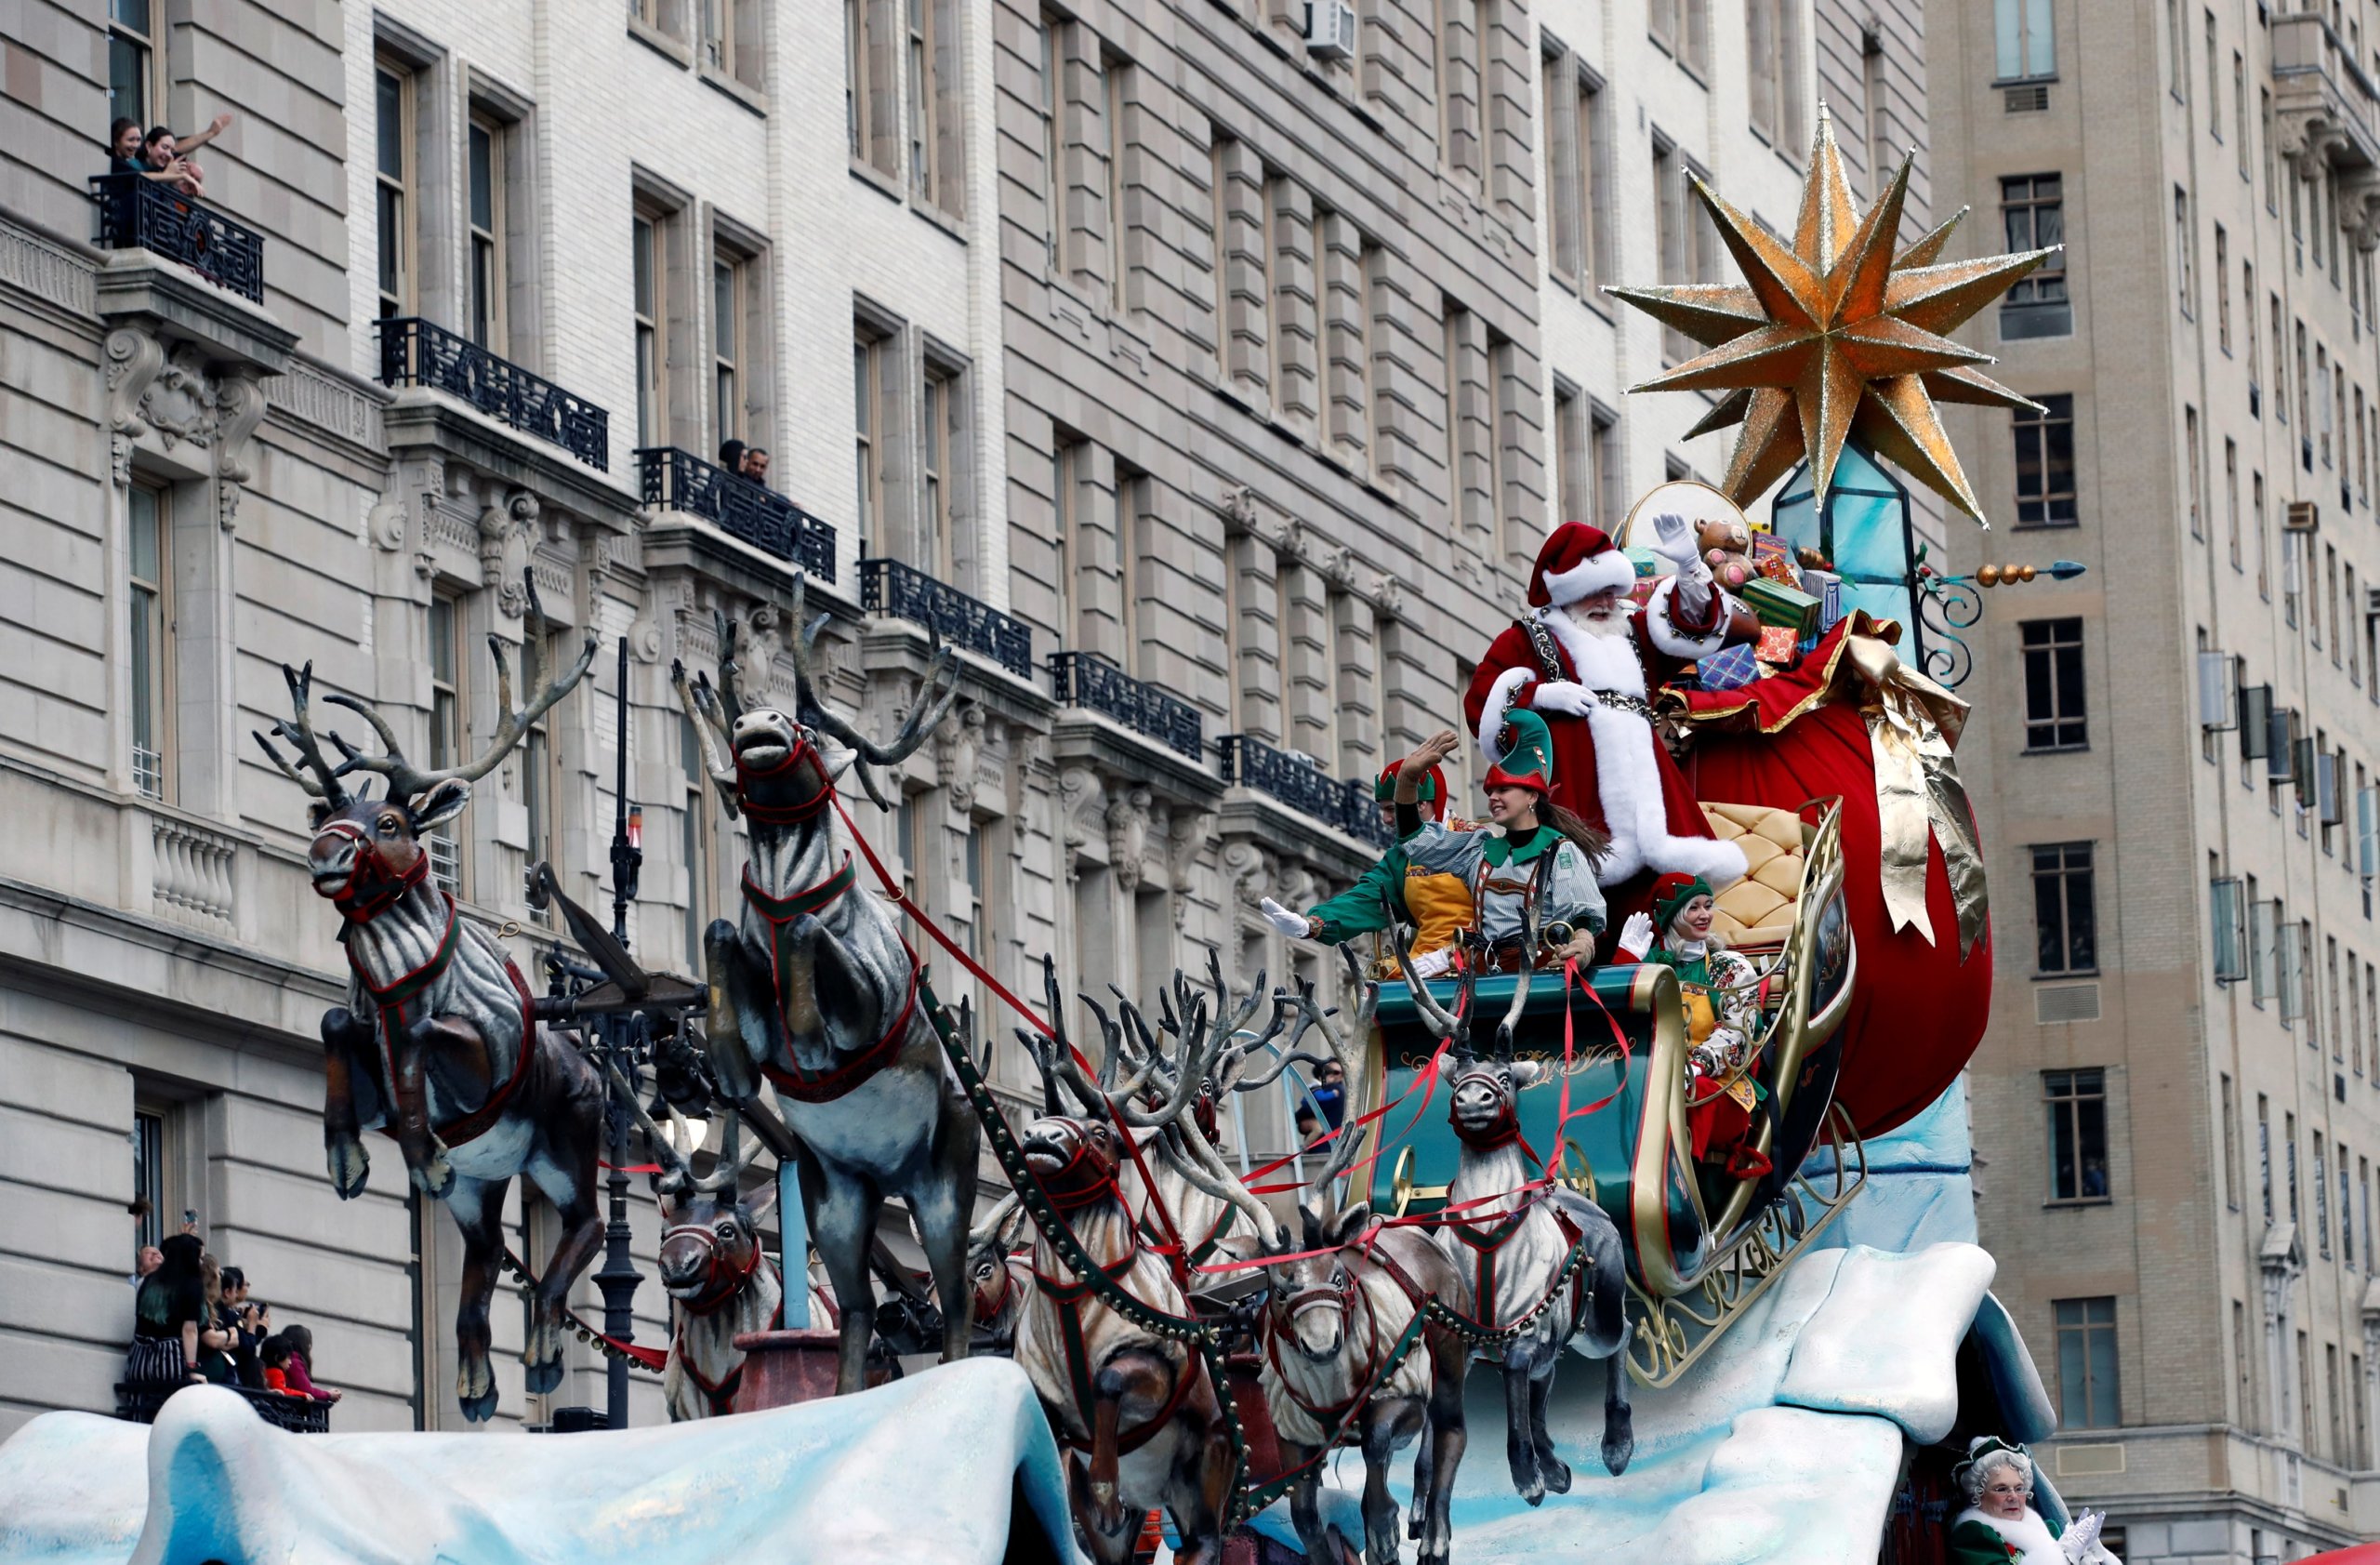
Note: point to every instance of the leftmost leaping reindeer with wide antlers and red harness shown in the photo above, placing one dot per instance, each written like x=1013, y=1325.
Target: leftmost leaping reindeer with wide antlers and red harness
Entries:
x=437, y=1045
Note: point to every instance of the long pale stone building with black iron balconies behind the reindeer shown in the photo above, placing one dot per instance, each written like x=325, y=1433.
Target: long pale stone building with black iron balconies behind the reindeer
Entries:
x=1205, y=380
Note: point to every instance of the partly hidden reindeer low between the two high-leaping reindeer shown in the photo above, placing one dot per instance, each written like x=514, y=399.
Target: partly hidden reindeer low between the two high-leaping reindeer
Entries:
x=713, y=1266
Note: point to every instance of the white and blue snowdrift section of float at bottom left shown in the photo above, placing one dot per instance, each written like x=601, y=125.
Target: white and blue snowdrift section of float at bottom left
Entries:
x=953, y=1466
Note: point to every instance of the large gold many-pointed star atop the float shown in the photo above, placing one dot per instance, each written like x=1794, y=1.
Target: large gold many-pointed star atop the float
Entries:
x=1836, y=337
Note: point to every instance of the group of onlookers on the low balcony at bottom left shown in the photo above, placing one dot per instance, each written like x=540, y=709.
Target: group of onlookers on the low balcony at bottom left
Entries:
x=194, y=1321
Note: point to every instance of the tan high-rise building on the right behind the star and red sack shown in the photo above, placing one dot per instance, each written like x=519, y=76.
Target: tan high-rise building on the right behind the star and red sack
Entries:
x=2174, y=754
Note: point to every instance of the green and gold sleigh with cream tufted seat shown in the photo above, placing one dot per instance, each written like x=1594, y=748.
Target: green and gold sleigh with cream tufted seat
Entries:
x=1703, y=1240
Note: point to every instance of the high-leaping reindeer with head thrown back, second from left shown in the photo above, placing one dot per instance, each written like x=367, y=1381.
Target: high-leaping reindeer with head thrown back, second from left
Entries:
x=815, y=992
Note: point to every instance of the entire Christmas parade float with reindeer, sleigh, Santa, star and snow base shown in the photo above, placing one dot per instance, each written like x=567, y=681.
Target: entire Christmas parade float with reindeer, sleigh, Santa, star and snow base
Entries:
x=1691, y=1173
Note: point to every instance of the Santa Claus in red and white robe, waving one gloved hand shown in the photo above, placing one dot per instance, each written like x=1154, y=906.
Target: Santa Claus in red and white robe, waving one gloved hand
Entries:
x=1589, y=661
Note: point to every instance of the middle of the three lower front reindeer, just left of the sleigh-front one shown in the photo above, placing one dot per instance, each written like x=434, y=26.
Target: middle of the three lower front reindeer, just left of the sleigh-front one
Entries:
x=1339, y=1304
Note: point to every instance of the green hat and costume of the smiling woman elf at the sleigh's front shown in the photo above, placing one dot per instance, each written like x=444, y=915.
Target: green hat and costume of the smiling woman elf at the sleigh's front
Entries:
x=1508, y=871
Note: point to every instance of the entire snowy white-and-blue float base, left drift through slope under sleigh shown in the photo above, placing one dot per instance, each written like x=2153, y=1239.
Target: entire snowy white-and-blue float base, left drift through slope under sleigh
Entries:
x=1784, y=1447
